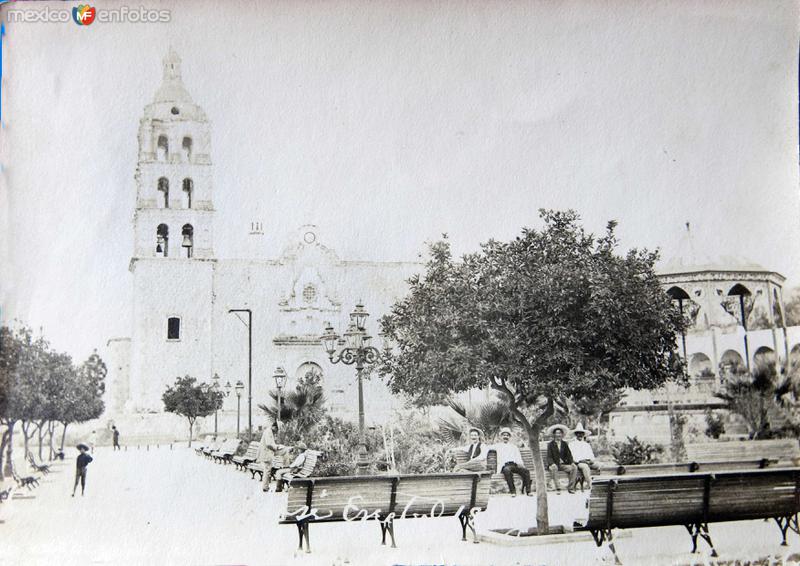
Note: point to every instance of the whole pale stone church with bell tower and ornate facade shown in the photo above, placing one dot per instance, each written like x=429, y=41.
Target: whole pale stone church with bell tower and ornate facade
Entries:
x=183, y=293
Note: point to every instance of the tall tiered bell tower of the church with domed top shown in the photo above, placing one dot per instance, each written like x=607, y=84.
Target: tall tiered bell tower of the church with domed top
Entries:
x=173, y=259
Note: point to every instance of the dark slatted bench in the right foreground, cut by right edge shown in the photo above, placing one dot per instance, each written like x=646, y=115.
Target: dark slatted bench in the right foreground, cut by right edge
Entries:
x=693, y=500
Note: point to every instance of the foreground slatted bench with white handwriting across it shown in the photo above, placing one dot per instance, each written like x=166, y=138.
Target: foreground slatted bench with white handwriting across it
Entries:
x=385, y=499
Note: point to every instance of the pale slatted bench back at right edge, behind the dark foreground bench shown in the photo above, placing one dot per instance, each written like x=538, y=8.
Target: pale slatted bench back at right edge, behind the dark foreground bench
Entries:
x=784, y=450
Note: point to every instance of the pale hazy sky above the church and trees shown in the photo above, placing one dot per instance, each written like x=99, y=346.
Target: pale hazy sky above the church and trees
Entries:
x=389, y=123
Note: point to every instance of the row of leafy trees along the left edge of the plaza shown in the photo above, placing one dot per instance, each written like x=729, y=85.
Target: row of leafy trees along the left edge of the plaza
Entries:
x=40, y=388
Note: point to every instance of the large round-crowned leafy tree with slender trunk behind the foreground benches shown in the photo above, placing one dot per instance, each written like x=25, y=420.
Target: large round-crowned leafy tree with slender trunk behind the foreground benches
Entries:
x=552, y=315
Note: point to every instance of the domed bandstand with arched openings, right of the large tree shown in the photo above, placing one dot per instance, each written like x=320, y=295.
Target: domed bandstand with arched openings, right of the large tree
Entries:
x=736, y=314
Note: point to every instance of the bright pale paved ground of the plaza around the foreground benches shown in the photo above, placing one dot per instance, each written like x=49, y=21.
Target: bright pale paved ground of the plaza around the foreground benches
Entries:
x=173, y=507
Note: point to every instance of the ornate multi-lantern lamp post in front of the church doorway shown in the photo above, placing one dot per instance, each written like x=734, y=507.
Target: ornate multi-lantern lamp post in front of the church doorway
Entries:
x=357, y=351
